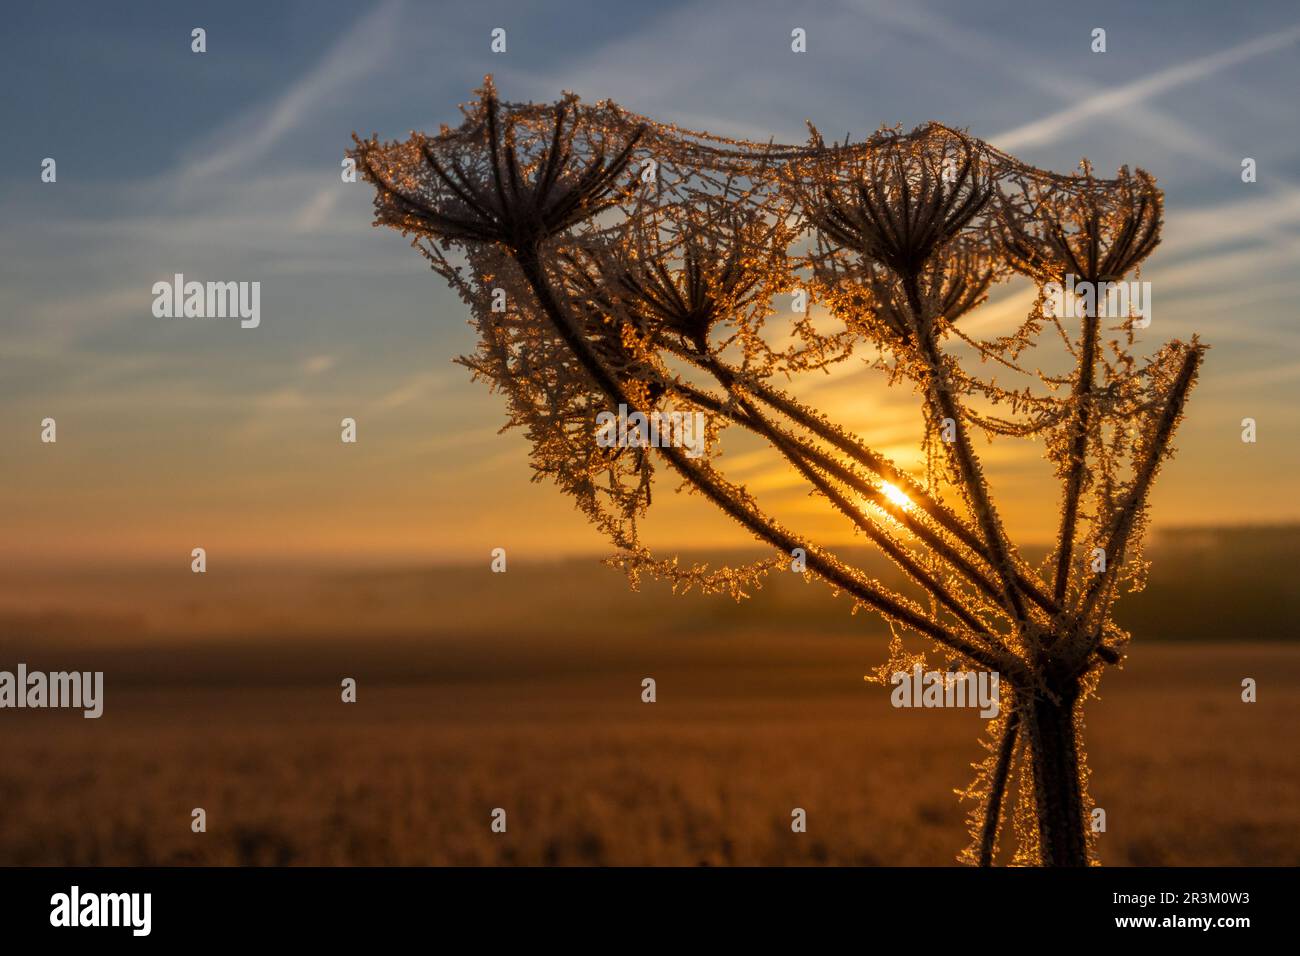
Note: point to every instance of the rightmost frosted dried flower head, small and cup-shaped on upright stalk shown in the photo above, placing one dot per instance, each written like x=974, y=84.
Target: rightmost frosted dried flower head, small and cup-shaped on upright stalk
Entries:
x=1095, y=231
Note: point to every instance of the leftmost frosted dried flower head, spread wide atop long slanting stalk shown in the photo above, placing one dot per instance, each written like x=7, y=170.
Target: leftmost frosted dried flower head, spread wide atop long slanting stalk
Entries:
x=492, y=183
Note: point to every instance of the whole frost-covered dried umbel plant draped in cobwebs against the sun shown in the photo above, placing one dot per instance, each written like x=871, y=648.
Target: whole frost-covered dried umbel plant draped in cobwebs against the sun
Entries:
x=610, y=261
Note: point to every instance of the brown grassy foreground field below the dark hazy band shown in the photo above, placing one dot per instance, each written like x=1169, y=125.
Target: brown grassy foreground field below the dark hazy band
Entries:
x=588, y=775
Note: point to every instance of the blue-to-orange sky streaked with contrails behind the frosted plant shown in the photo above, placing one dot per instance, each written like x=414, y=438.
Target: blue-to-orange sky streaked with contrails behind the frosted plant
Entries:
x=226, y=166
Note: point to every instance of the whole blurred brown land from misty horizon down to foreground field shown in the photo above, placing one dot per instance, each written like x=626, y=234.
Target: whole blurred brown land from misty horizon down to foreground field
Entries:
x=226, y=695
